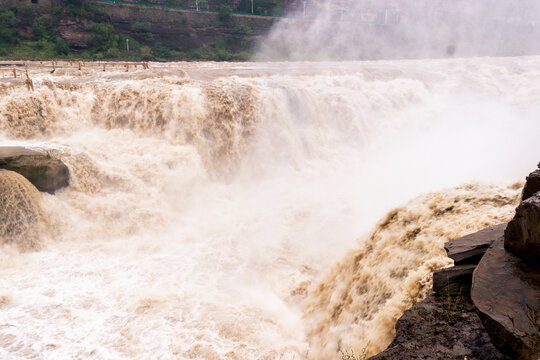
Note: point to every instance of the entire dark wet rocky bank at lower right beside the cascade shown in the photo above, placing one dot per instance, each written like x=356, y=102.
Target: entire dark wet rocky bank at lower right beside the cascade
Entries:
x=487, y=306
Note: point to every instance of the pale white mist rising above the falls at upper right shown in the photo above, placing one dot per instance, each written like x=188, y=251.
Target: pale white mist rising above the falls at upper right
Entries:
x=389, y=29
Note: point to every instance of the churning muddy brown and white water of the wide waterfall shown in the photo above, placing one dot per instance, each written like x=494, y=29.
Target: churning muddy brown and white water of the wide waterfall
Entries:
x=252, y=211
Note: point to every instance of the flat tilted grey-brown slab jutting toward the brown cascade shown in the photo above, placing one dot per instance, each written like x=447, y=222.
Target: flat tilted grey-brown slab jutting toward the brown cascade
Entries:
x=470, y=249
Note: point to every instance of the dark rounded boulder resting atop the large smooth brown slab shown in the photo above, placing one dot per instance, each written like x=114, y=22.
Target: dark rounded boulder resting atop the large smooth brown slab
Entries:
x=522, y=236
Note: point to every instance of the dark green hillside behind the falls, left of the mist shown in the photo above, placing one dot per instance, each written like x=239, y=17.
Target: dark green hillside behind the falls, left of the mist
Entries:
x=97, y=30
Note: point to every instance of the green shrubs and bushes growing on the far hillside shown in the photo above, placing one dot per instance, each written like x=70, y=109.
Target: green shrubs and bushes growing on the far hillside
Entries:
x=34, y=32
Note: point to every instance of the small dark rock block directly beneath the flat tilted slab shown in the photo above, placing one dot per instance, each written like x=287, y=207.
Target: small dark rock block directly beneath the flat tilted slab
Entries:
x=453, y=281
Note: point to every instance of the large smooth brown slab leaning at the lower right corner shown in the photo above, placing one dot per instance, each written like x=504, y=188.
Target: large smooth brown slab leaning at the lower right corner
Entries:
x=506, y=293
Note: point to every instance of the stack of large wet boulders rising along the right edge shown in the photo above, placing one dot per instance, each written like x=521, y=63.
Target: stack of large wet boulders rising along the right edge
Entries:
x=506, y=284
